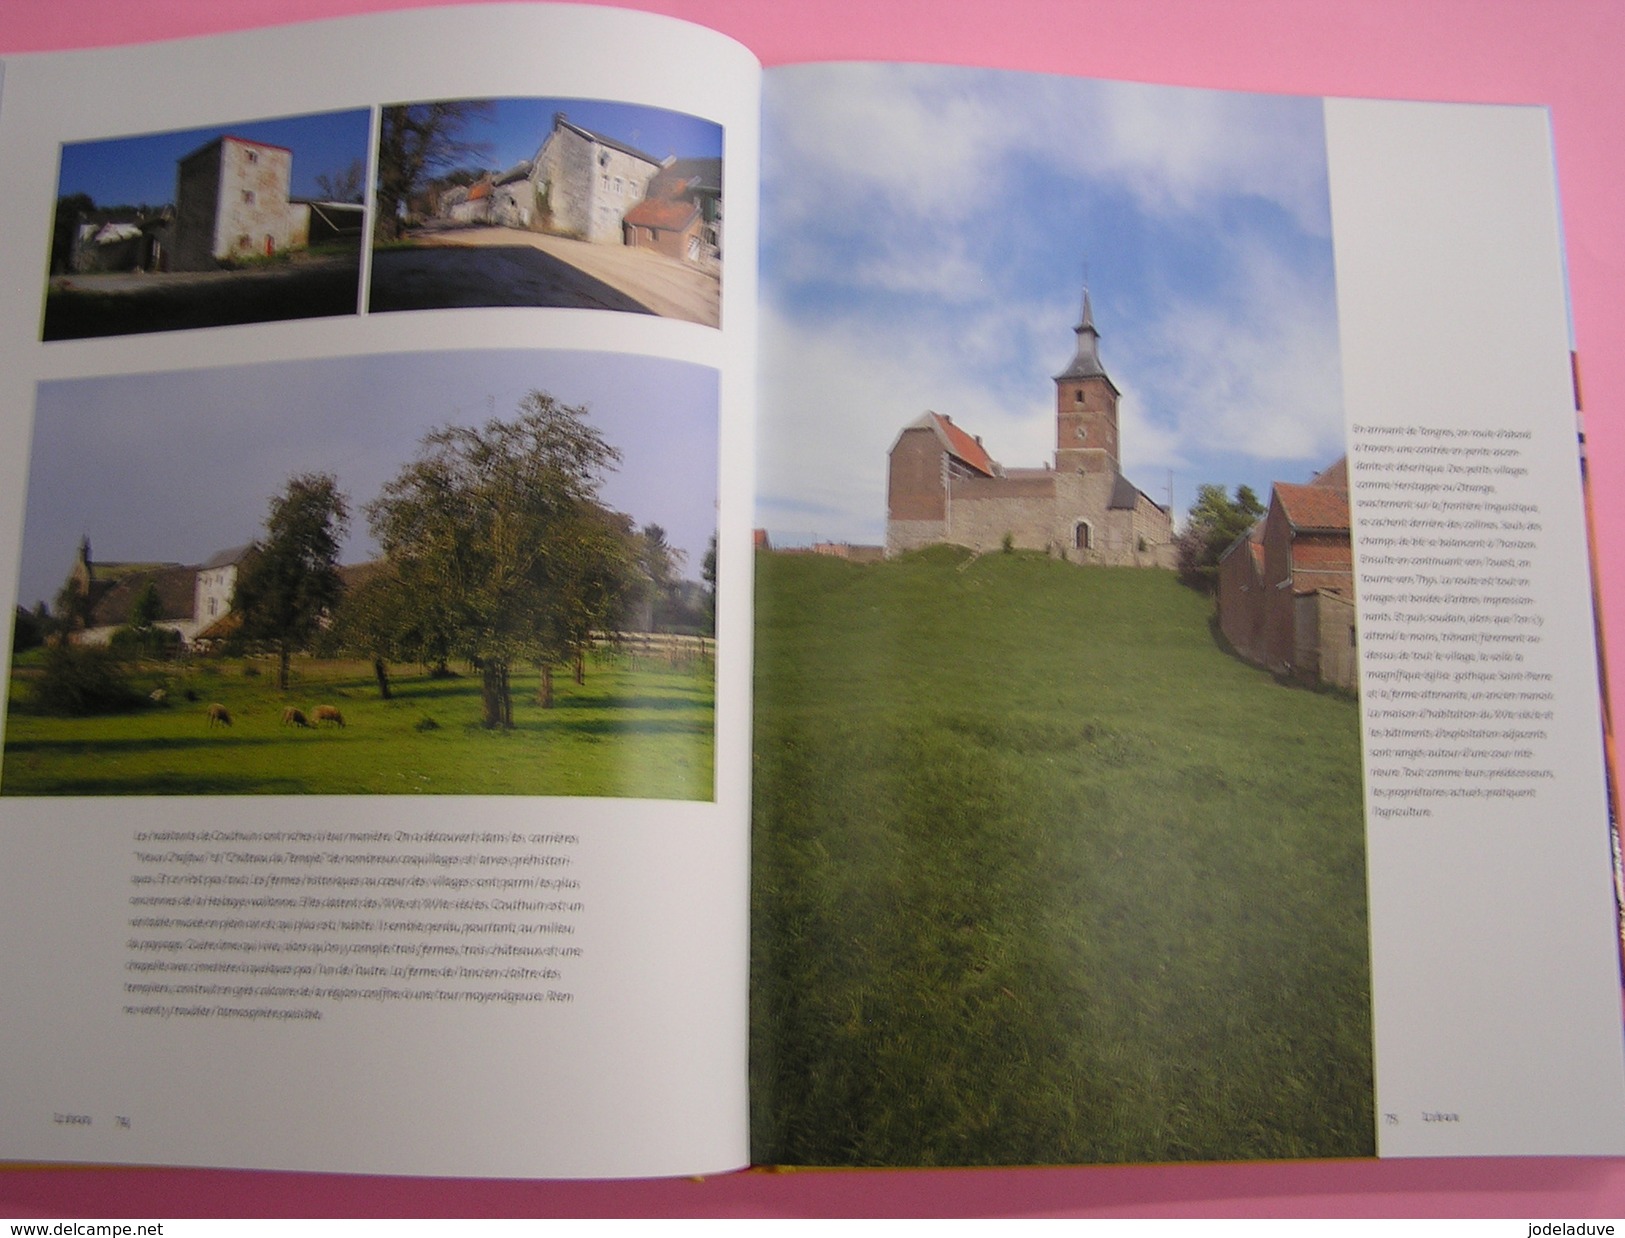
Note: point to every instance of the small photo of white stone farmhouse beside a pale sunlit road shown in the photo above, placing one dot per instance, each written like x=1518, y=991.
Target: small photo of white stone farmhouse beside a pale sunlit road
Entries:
x=548, y=202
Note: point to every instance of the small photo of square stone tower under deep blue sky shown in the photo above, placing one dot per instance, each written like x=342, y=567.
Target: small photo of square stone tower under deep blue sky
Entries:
x=251, y=222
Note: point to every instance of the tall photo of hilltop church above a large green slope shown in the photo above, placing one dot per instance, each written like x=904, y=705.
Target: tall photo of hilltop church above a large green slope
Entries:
x=1059, y=842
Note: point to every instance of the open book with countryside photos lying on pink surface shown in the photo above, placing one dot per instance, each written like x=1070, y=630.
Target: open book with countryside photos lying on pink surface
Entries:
x=586, y=610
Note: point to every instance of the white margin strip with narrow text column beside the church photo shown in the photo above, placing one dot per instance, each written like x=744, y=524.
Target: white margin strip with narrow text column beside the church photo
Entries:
x=1494, y=928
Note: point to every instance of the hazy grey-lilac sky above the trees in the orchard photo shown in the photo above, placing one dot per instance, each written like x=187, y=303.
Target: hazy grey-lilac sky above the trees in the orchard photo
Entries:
x=176, y=467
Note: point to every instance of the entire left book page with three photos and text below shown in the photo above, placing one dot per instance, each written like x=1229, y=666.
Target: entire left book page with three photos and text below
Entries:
x=375, y=524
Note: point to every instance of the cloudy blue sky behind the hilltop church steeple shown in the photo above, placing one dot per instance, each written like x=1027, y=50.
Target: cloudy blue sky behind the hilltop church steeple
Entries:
x=927, y=235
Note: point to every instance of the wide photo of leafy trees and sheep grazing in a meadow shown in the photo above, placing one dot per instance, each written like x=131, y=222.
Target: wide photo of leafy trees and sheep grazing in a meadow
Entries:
x=402, y=574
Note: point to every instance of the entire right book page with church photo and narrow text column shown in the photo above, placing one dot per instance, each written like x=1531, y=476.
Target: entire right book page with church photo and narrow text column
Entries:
x=1177, y=719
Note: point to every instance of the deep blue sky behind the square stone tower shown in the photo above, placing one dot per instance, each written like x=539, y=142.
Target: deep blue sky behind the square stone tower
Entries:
x=142, y=170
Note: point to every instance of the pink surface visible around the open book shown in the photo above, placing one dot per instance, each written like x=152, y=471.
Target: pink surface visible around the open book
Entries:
x=1566, y=54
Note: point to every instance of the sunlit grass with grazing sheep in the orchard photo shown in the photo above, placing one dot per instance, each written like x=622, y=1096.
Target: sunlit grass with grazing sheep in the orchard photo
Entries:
x=633, y=729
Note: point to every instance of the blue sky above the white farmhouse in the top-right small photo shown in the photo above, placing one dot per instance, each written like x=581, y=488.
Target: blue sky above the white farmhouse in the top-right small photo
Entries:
x=514, y=129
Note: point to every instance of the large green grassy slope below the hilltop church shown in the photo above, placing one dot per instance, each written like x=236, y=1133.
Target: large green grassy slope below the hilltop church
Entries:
x=1044, y=877
